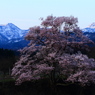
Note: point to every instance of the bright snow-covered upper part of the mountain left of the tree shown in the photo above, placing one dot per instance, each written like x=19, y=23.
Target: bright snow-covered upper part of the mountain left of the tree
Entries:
x=10, y=31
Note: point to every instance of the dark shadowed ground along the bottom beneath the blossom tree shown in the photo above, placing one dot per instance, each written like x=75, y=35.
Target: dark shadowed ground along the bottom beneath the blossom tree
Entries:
x=42, y=87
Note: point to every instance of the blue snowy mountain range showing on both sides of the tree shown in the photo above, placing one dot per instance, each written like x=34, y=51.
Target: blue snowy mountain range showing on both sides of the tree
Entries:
x=12, y=37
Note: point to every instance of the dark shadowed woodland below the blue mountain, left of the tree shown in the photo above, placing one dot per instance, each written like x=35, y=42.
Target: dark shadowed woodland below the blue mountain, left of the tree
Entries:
x=7, y=60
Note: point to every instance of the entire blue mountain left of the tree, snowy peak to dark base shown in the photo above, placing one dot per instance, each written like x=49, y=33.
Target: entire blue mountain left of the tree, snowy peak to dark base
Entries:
x=12, y=37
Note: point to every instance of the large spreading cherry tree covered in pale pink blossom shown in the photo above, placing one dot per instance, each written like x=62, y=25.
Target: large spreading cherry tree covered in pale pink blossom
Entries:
x=50, y=53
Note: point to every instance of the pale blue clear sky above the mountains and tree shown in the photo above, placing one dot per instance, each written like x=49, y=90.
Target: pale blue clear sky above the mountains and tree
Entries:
x=26, y=13
